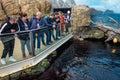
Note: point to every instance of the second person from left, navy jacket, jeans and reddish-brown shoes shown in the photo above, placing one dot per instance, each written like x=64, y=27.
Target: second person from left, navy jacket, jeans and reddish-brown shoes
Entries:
x=24, y=37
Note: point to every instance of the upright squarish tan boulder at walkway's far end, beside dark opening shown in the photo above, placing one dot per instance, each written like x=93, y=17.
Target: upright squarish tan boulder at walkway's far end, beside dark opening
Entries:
x=80, y=16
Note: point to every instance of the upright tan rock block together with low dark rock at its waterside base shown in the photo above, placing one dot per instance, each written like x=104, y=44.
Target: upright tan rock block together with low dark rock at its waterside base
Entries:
x=80, y=20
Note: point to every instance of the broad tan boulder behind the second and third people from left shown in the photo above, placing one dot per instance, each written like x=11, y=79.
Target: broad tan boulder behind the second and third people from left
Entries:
x=34, y=6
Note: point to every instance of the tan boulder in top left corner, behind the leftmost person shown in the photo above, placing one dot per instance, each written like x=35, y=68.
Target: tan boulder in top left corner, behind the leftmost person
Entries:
x=7, y=8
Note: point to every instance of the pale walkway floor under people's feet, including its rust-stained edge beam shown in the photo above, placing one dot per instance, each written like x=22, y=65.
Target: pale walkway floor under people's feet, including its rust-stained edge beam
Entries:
x=29, y=61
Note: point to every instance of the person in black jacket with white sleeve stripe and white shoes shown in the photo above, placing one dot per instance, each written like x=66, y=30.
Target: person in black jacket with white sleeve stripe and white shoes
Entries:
x=9, y=26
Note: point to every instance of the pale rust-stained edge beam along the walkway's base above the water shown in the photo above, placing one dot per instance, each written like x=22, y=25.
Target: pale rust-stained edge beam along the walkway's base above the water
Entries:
x=27, y=63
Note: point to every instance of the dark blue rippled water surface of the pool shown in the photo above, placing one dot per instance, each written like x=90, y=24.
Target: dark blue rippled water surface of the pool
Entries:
x=87, y=60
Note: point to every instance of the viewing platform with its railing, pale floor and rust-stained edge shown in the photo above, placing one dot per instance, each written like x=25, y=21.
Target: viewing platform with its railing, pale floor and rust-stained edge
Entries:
x=38, y=55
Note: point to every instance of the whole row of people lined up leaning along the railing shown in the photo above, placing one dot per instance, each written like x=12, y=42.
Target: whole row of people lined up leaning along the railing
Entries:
x=52, y=22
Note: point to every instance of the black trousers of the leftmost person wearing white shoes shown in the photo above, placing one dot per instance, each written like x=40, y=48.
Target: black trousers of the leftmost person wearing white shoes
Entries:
x=8, y=48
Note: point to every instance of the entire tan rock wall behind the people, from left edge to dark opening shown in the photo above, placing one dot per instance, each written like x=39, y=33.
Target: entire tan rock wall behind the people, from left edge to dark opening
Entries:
x=10, y=7
